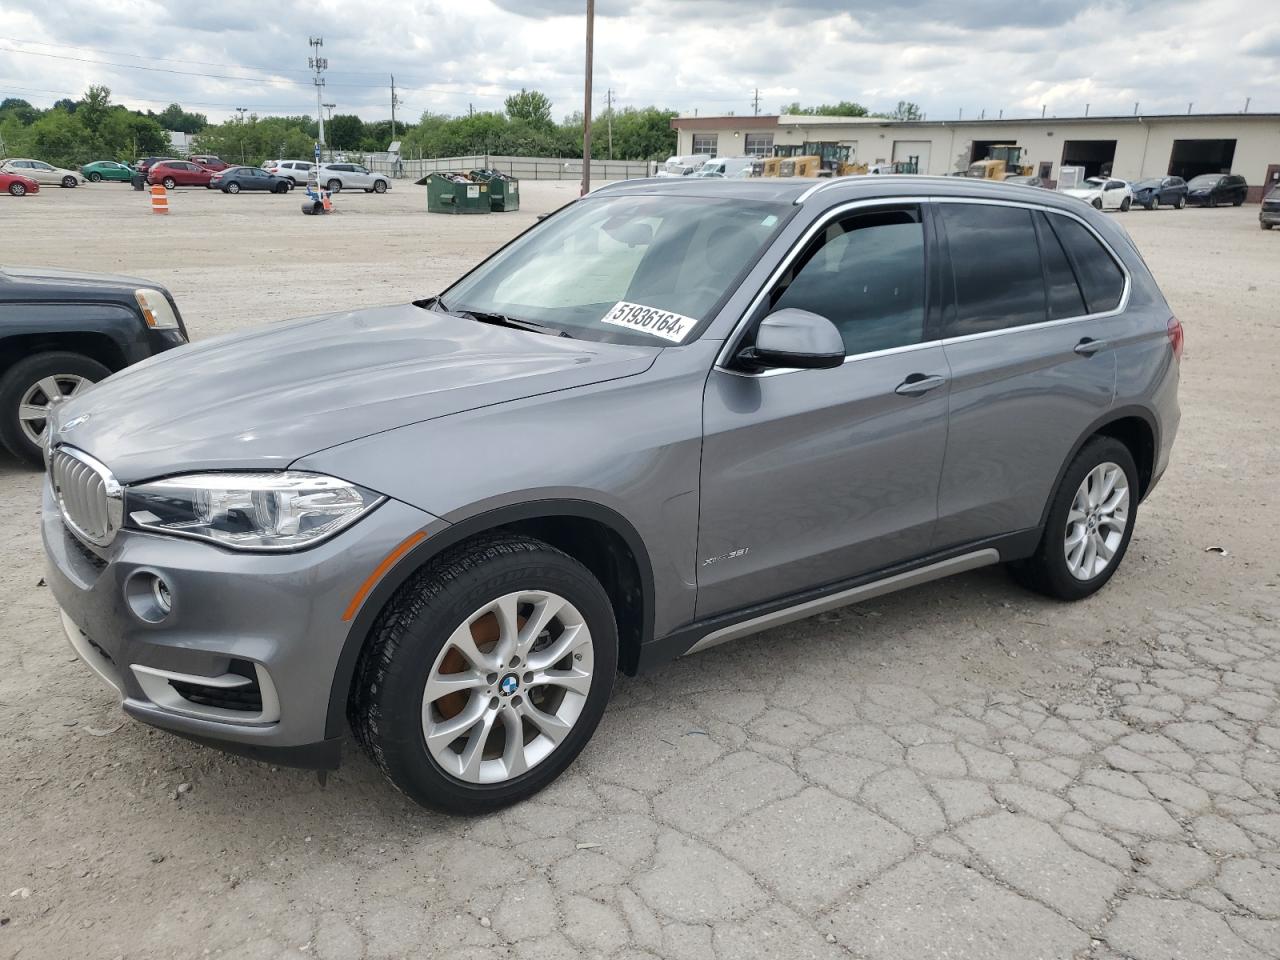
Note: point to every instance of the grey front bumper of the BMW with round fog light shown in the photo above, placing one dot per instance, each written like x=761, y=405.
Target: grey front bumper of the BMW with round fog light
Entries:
x=239, y=621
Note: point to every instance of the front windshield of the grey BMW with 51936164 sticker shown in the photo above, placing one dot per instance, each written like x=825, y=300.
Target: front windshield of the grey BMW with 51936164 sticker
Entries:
x=641, y=269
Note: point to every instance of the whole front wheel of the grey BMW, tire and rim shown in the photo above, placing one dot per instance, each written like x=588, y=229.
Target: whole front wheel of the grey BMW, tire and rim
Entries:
x=486, y=675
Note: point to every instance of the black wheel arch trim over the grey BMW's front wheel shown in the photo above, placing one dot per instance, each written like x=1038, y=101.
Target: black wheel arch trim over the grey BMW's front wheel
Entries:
x=455, y=534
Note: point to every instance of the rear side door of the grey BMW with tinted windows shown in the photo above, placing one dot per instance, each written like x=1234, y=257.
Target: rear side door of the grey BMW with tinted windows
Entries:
x=1034, y=299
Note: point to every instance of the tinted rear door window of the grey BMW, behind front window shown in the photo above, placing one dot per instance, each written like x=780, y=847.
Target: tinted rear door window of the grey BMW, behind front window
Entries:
x=996, y=267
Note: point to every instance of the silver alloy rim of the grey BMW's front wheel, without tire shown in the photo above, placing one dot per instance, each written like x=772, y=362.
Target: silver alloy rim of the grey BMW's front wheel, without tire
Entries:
x=508, y=687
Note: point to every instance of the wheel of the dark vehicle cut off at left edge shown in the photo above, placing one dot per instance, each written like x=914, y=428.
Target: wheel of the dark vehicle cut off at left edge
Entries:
x=33, y=390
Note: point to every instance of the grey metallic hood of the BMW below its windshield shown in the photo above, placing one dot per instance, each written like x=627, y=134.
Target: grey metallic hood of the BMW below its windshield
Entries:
x=264, y=399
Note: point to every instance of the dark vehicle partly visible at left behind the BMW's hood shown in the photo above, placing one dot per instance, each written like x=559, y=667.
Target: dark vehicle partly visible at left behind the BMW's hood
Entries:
x=62, y=332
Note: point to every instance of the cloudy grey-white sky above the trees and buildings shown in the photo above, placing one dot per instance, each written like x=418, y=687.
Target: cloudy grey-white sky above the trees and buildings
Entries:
x=705, y=56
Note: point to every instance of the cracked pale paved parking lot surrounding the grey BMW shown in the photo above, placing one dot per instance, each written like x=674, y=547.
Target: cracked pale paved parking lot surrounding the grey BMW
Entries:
x=963, y=770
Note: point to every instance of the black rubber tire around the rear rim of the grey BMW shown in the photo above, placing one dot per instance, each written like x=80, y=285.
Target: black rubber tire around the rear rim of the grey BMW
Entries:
x=1046, y=572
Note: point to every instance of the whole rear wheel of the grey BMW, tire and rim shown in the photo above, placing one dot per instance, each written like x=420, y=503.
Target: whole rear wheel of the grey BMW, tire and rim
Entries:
x=1090, y=524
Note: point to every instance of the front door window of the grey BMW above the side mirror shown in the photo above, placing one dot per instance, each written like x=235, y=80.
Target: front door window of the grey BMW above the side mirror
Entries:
x=866, y=275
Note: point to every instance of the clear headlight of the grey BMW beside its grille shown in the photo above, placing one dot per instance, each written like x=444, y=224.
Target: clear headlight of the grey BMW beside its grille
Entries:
x=282, y=511
